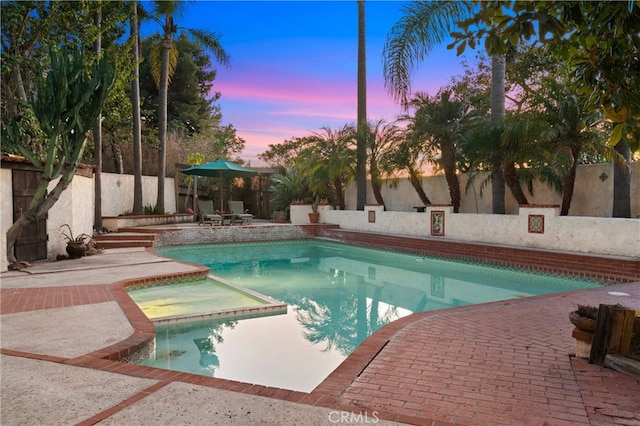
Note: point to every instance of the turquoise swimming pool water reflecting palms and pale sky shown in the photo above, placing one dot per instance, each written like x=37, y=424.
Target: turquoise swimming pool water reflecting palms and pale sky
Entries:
x=337, y=295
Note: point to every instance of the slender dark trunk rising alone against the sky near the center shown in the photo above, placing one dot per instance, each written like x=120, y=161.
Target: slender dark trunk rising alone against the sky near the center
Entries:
x=362, y=132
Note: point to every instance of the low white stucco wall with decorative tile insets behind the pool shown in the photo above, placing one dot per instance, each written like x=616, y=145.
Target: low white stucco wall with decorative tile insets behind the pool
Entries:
x=605, y=236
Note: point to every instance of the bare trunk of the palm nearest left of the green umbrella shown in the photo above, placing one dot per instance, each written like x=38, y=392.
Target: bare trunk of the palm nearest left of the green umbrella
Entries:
x=163, y=91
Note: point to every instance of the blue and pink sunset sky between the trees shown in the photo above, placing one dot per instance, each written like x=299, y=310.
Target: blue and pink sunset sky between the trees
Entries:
x=294, y=64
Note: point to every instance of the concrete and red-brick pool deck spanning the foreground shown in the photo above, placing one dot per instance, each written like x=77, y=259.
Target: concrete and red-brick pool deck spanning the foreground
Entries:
x=499, y=363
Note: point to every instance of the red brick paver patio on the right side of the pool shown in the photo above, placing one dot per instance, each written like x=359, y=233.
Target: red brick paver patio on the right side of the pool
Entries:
x=502, y=363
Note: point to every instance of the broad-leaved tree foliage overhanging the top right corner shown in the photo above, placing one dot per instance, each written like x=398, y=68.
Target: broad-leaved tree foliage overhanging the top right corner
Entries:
x=599, y=40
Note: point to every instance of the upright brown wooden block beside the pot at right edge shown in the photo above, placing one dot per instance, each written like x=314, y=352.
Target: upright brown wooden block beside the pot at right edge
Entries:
x=613, y=332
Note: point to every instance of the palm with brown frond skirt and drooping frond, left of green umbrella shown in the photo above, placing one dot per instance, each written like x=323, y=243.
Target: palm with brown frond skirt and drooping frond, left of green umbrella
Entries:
x=164, y=61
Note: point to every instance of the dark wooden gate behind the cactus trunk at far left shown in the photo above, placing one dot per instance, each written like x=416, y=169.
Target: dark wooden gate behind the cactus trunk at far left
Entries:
x=32, y=242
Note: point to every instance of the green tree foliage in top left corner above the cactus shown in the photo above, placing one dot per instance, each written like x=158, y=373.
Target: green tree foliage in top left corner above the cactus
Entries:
x=30, y=31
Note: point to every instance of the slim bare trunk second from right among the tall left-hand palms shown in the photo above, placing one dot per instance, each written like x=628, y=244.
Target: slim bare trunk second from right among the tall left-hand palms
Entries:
x=135, y=104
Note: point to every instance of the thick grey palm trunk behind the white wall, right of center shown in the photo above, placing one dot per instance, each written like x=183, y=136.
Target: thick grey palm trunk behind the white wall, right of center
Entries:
x=497, y=116
